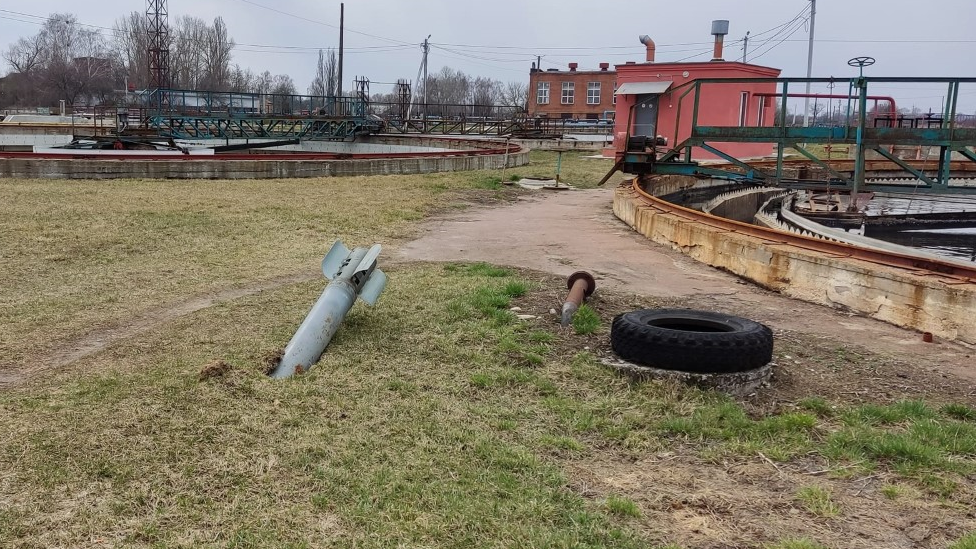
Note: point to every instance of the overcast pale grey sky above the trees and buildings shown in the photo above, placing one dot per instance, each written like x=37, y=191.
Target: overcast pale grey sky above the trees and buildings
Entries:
x=500, y=38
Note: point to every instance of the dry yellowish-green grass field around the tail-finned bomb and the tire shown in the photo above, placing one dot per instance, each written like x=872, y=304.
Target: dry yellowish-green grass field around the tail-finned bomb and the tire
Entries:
x=135, y=317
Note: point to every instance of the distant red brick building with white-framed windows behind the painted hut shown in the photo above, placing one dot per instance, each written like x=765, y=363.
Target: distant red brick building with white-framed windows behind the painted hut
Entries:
x=583, y=95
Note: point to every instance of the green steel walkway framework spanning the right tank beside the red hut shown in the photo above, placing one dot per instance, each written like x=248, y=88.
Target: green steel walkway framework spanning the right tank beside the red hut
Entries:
x=948, y=138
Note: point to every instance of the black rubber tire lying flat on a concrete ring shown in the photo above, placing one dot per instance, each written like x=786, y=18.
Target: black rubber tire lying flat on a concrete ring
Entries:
x=692, y=341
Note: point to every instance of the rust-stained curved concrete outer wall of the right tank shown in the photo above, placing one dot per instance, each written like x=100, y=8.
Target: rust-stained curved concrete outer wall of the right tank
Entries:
x=926, y=303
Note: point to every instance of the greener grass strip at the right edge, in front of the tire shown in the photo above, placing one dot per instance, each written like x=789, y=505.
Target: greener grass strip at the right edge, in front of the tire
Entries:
x=908, y=437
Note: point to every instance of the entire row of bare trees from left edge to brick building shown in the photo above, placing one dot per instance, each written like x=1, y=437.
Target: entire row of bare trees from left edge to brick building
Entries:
x=67, y=60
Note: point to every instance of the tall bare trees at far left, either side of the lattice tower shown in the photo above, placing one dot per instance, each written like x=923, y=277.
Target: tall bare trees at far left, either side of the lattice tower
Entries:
x=69, y=61
